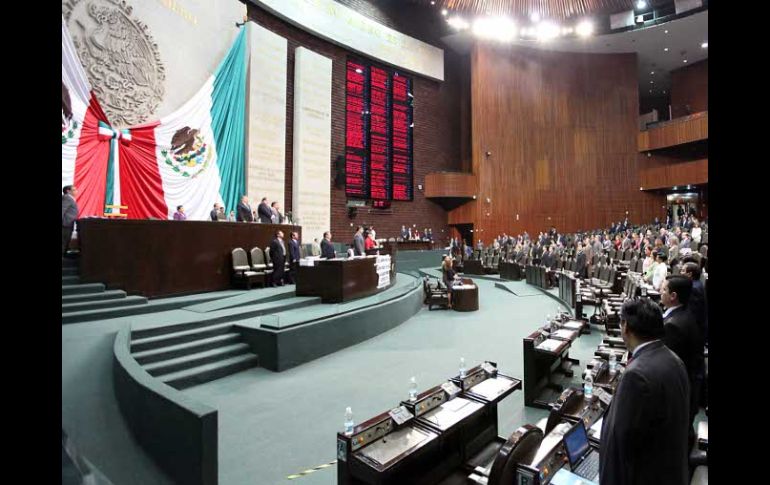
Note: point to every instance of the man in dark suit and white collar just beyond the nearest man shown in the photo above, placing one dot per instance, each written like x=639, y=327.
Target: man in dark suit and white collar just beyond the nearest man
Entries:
x=683, y=336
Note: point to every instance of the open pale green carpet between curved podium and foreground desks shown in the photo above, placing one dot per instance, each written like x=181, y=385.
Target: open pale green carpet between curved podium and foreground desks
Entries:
x=274, y=425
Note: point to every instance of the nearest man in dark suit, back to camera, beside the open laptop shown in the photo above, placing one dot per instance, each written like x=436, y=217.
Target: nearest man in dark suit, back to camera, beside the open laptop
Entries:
x=644, y=433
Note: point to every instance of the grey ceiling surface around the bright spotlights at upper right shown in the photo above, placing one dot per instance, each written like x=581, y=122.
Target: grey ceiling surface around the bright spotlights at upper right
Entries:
x=682, y=37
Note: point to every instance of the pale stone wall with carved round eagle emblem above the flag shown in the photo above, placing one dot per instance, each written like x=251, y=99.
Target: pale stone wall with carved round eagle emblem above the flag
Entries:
x=146, y=58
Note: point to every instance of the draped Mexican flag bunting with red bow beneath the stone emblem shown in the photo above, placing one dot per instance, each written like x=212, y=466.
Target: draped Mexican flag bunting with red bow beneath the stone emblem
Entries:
x=193, y=157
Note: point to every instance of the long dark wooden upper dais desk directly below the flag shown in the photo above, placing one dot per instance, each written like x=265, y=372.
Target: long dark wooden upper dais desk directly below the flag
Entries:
x=163, y=258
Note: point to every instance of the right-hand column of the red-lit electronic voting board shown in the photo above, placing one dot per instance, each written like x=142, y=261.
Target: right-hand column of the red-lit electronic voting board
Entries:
x=401, y=164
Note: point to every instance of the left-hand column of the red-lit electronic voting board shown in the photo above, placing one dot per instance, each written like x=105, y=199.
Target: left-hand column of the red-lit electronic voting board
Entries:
x=356, y=131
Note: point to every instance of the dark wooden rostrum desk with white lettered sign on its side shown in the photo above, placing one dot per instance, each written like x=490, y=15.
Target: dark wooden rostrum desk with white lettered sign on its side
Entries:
x=339, y=280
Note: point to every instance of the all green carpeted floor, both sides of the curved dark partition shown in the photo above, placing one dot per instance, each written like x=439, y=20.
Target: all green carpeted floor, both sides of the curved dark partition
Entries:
x=272, y=425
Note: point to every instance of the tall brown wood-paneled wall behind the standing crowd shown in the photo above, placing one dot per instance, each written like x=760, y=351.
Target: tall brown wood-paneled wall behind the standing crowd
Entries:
x=562, y=133
